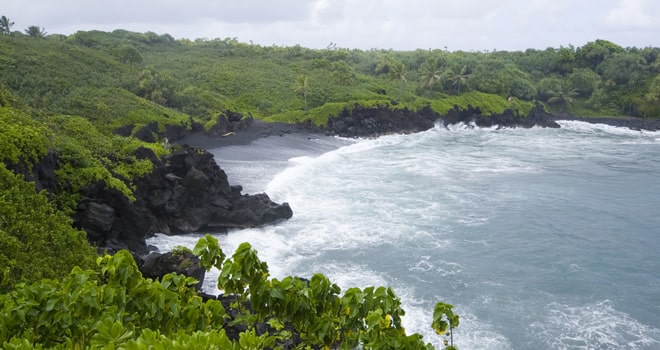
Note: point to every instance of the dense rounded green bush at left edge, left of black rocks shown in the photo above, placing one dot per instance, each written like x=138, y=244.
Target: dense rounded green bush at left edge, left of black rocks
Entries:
x=36, y=241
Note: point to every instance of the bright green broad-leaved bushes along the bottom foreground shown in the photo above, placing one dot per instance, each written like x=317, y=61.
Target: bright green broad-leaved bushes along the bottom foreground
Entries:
x=113, y=306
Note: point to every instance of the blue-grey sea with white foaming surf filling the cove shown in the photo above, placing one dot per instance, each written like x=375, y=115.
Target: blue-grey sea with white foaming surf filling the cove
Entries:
x=541, y=238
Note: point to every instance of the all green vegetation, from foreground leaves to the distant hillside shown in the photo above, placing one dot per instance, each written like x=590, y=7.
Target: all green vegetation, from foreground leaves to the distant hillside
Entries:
x=69, y=99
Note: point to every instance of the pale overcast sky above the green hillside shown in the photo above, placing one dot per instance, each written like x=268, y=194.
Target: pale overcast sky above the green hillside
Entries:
x=364, y=24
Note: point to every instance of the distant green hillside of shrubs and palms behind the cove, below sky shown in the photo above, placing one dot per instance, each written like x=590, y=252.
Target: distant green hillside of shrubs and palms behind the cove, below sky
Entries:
x=125, y=78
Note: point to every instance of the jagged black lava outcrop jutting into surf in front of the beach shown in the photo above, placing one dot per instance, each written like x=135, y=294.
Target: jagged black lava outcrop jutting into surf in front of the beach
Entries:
x=186, y=192
